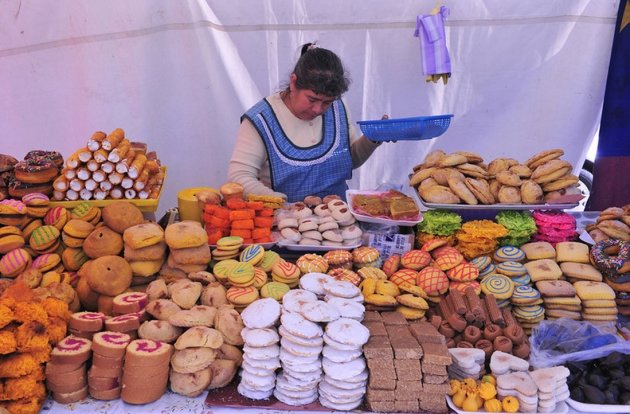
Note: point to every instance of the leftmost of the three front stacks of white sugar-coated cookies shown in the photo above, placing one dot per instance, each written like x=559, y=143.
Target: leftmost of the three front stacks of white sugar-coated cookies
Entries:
x=261, y=350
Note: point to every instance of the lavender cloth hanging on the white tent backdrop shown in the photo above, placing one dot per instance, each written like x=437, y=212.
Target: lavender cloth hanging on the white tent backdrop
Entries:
x=436, y=62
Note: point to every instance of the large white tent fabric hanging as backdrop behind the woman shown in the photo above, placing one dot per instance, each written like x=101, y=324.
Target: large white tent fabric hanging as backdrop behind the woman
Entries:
x=527, y=76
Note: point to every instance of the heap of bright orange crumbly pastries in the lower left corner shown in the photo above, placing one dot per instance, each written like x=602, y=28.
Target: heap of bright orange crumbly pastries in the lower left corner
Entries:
x=29, y=327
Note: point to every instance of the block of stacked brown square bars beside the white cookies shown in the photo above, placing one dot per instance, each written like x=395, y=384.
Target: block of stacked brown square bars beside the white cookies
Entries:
x=407, y=364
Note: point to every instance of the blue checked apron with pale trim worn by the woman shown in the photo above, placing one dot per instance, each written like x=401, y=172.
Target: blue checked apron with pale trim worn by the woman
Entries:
x=298, y=172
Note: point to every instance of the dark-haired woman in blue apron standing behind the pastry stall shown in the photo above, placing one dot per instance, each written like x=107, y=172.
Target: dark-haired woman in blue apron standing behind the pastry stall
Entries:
x=299, y=142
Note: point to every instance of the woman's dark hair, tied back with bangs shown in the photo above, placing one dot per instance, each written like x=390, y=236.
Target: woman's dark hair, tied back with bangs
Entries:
x=321, y=71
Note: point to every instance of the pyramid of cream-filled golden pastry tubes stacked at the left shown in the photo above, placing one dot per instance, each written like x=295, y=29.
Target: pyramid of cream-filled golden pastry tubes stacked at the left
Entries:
x=110, y=166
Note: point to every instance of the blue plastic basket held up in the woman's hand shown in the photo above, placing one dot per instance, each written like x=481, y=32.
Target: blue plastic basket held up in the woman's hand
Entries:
x=416, y=128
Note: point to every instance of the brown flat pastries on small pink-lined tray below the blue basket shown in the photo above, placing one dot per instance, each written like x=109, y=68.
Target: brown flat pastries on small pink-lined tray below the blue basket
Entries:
x=391, y=204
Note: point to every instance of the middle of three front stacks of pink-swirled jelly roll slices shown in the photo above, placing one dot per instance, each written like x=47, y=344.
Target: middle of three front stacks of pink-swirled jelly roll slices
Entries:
x=105, y=373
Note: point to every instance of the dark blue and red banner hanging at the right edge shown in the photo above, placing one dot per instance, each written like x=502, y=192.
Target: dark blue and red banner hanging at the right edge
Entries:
x=611, y=173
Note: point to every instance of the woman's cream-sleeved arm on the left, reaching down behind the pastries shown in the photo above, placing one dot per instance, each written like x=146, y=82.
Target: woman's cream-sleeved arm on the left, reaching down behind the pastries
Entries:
x=248, y=158
